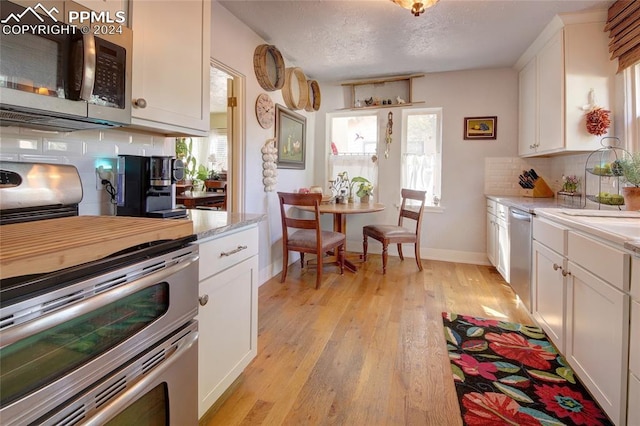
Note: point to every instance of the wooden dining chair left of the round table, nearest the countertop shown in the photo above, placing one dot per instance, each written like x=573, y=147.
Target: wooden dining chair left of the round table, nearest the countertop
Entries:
x=307, y=237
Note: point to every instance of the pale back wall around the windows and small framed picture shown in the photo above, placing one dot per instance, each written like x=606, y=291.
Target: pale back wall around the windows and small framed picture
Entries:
x=458, y=232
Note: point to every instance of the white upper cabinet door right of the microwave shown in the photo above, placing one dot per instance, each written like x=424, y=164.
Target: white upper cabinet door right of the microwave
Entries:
x=171, y=49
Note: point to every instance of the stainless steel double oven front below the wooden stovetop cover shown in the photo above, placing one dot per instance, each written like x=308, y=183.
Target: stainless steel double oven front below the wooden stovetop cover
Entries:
x=111, y=341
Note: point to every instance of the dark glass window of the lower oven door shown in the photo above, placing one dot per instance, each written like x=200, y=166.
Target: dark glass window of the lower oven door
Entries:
x=152, y=409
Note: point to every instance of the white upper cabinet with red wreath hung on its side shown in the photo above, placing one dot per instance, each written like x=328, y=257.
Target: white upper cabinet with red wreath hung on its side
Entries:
x=566, y=69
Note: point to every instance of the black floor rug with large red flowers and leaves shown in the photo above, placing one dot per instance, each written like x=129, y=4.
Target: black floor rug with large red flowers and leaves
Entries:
x=510, y=374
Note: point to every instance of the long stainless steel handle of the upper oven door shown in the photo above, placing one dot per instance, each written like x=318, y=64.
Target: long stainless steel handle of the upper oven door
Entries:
x=29, y=328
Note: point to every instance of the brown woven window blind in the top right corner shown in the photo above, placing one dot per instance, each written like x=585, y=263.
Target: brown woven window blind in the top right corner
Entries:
x=623, y=24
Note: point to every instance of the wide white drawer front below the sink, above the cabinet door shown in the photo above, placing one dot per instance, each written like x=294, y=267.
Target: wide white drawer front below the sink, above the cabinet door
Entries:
x=610, y=264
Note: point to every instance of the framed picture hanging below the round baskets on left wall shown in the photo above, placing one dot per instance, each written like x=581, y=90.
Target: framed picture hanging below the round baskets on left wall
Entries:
x=291, y=131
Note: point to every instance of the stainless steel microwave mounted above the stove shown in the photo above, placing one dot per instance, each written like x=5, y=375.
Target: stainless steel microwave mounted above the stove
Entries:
x=64, y=67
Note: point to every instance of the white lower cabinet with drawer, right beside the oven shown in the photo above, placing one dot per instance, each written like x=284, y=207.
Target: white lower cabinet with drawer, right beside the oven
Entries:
x=228, y=312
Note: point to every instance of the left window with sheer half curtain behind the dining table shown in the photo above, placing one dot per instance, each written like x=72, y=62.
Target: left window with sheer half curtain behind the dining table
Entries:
x=354, y=141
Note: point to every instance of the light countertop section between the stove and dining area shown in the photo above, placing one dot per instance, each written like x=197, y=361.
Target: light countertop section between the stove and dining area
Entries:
x=208, y=223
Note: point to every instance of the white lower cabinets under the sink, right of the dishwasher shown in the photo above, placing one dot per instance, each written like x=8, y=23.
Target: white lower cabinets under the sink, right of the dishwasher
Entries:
x=581, y=300
